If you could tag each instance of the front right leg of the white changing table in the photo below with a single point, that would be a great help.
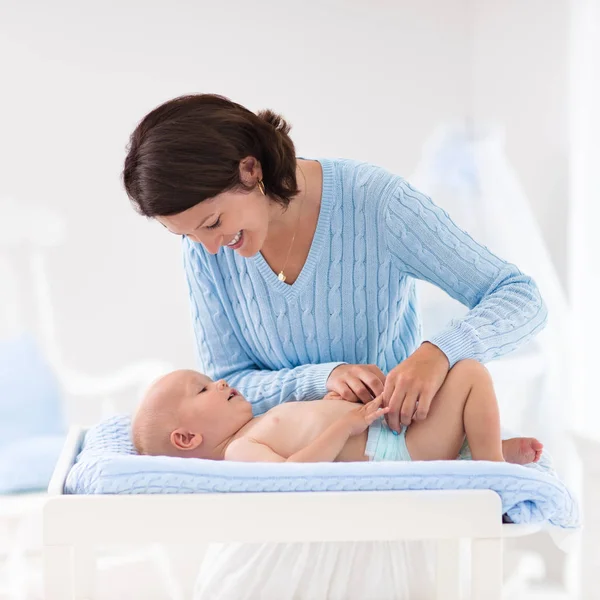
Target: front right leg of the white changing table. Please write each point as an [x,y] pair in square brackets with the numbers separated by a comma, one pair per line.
[486,569]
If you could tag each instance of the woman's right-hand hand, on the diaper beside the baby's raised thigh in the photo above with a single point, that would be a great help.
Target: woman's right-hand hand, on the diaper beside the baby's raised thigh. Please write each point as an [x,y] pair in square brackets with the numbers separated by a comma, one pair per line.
[416,379]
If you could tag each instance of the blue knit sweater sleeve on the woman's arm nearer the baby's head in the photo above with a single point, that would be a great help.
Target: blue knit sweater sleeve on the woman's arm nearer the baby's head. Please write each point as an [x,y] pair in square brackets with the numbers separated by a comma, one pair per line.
[223,353]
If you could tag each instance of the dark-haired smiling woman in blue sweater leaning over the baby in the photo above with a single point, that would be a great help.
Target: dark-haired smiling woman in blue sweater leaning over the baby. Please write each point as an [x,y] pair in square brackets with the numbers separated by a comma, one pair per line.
[301,273]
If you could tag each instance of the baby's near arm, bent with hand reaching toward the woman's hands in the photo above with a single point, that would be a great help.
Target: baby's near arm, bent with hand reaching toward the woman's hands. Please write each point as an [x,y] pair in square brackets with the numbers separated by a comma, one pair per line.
[325,448]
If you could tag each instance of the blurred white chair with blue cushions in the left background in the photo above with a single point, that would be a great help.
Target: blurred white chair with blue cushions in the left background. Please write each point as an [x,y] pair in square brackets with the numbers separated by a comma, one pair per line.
[27,235]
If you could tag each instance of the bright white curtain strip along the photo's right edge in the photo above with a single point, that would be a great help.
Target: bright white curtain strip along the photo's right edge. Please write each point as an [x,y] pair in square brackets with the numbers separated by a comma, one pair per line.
[585,211]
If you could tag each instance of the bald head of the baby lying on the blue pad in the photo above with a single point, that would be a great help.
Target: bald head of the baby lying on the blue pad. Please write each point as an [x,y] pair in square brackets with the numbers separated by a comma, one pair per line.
[186,414]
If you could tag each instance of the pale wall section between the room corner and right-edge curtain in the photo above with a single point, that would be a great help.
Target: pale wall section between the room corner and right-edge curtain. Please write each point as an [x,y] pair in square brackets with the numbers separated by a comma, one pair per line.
[520,79]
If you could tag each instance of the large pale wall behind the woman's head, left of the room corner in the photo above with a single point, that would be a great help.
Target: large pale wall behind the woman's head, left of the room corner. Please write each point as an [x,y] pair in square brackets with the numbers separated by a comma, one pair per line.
[356,79]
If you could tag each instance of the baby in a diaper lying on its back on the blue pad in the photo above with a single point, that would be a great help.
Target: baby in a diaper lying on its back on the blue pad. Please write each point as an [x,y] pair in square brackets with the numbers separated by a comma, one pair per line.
[186,414]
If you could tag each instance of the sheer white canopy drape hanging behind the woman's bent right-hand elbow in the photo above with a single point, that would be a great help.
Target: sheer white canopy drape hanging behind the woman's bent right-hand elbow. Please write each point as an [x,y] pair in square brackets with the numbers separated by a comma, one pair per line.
[467,172]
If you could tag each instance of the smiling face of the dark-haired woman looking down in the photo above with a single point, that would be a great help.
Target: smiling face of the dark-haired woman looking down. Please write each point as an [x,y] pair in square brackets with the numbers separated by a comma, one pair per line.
[238,220]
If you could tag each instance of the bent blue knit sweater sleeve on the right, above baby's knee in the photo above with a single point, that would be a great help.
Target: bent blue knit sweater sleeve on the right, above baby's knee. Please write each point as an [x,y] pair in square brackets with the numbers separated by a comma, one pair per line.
[506,309]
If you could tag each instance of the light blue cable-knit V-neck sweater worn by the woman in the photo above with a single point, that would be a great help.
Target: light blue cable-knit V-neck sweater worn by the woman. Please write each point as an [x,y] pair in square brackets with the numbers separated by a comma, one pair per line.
[354,301]
